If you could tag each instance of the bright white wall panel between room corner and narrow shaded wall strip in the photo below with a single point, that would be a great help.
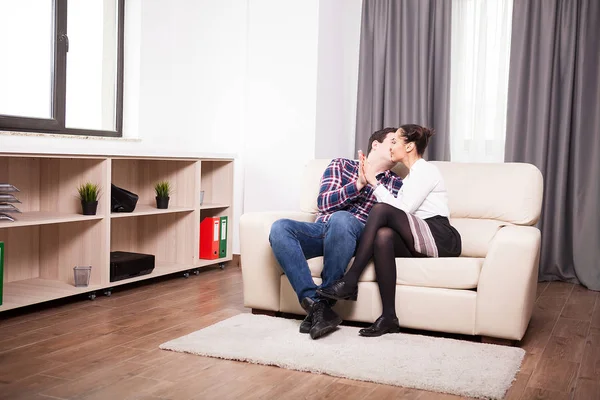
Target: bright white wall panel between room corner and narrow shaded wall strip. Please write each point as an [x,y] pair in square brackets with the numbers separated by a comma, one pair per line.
[281,98]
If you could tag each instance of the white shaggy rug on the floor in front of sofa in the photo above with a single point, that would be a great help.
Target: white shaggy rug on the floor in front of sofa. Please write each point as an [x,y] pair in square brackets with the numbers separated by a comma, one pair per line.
[413,361]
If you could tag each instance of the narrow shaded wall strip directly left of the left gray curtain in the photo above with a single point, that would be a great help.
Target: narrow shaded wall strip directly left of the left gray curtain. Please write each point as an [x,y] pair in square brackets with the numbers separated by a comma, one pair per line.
[337,81]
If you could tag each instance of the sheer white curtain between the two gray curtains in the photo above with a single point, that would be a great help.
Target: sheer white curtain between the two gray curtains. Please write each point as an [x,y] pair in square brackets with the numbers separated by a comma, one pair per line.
[480,55]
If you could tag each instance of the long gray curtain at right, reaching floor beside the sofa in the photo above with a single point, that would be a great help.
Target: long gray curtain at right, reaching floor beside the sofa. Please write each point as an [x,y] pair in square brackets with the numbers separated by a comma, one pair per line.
[554,123]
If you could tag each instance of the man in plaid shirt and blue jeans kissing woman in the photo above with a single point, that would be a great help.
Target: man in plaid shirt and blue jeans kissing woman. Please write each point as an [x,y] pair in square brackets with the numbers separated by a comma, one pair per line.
[344,203]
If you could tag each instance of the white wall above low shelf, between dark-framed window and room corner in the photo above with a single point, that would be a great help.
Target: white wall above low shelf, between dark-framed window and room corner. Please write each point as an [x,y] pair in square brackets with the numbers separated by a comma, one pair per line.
[193,61]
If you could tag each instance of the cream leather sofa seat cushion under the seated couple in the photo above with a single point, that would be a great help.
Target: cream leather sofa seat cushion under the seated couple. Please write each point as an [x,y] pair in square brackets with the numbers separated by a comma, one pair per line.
[449,273]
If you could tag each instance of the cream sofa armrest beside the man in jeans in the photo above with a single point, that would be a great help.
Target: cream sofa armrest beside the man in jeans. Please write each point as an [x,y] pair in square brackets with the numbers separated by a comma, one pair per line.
[261,274]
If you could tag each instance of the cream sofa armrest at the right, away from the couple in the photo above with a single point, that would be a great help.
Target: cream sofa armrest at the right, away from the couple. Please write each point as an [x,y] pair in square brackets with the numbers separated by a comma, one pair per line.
[508,281]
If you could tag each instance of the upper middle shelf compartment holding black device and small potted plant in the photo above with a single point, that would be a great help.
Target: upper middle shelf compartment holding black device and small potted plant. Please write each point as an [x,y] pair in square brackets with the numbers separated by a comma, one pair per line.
[139,176]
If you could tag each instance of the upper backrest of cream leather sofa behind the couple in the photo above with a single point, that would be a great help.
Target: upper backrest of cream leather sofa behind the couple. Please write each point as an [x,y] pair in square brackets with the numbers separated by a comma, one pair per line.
[509,192]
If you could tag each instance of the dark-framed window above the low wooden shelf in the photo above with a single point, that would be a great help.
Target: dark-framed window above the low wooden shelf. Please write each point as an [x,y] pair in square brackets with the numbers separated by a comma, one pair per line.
[62,66]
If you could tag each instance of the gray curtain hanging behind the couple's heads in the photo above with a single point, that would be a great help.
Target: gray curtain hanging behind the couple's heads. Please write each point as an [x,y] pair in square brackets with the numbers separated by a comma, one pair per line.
[404,69]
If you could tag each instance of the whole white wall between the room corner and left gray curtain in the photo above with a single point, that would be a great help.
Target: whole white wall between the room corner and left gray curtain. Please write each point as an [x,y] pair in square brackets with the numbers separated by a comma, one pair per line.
[302,88]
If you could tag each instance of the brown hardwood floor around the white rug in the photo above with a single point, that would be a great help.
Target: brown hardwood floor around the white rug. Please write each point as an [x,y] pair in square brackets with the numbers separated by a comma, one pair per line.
[108,349]
